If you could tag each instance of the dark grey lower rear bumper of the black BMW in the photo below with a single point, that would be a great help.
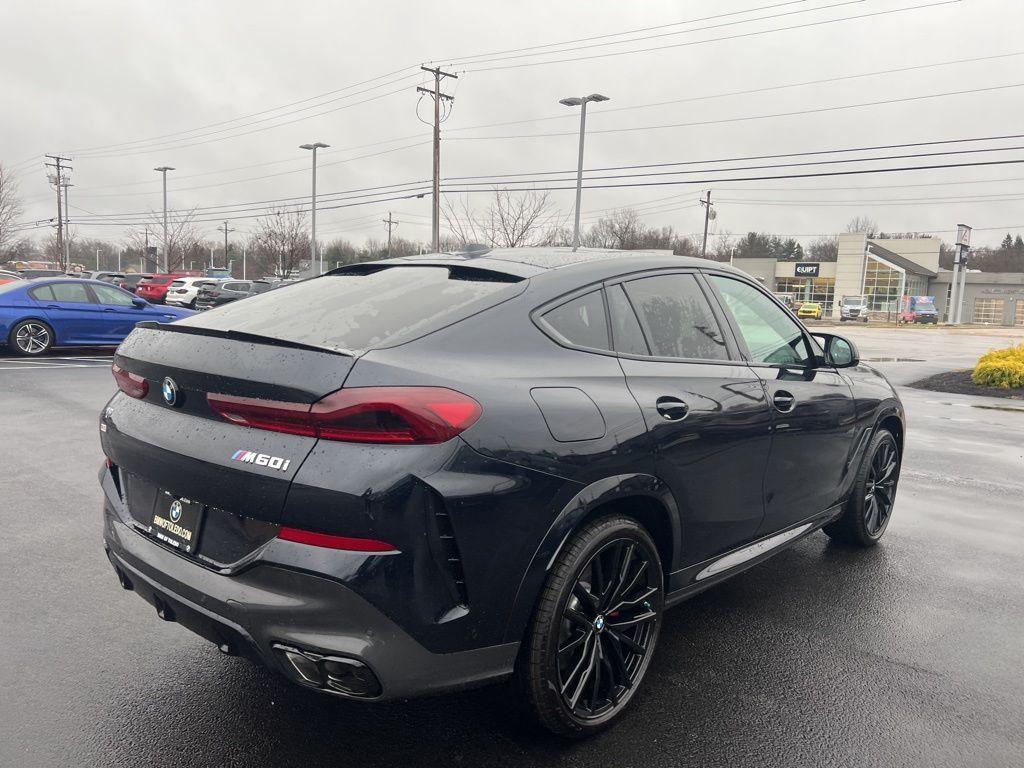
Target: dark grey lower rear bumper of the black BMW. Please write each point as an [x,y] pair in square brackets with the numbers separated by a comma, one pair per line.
[279,605]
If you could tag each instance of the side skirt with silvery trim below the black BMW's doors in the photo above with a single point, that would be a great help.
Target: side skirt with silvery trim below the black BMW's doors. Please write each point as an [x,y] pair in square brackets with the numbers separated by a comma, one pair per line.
[689,582]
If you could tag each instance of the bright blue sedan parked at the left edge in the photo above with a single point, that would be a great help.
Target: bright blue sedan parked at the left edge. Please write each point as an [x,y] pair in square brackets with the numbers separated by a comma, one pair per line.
[46,313]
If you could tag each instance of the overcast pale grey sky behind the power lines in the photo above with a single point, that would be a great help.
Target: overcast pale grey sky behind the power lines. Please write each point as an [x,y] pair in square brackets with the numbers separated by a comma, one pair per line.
[116,75]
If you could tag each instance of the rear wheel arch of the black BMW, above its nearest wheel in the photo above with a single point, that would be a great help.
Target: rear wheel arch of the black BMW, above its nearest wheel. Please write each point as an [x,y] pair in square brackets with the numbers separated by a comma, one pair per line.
[643,497]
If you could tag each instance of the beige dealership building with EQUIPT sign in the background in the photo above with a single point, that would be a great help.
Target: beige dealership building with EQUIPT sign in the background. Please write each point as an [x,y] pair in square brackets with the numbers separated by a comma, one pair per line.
[886,269]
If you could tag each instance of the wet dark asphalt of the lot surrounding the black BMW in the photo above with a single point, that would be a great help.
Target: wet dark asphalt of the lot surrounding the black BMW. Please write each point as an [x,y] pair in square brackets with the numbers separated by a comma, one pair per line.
[909,655]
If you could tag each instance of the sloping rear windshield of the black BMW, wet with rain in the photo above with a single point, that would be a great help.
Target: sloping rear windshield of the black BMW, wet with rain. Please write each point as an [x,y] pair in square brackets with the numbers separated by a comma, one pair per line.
[358,312]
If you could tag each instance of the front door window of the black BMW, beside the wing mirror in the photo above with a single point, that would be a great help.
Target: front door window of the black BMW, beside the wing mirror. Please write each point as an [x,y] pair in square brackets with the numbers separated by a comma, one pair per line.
[771,334]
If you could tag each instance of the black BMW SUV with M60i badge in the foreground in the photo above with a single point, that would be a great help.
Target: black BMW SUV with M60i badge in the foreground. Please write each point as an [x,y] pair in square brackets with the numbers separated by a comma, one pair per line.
[425,474]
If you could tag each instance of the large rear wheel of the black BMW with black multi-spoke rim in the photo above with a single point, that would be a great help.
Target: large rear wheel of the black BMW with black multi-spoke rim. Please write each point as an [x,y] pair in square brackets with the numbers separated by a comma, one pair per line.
[586,655]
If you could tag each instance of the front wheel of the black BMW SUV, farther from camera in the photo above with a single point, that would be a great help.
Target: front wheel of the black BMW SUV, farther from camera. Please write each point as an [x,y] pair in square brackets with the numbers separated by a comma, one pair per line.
[869,510]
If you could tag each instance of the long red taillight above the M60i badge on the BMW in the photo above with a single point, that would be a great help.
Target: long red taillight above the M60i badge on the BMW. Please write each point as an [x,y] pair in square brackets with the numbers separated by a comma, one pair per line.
[382,415]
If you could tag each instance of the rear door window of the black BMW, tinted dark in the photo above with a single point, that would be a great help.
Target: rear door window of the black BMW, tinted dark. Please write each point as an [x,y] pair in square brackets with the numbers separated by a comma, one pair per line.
[676,318]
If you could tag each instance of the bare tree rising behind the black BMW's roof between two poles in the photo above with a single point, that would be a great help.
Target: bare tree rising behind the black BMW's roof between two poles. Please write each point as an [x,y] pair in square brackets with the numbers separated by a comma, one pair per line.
[514,220]
